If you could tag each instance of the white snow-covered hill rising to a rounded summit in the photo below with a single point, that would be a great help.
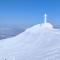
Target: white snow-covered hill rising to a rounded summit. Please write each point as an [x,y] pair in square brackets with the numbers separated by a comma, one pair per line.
[40,42]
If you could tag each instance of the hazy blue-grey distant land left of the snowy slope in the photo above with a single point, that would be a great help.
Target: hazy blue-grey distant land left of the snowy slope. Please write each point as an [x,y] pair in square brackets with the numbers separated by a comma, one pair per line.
[6,32]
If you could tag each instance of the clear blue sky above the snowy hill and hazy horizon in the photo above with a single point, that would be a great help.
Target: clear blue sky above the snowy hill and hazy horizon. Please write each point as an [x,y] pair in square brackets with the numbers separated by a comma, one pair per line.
[24,13]
